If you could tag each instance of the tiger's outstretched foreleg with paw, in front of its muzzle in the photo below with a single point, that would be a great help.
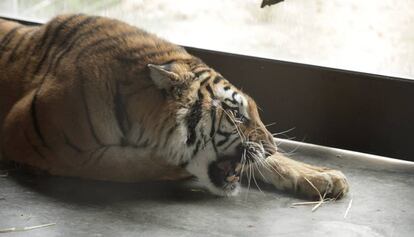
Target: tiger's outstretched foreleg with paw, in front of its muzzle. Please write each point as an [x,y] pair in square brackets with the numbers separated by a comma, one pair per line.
[297,177]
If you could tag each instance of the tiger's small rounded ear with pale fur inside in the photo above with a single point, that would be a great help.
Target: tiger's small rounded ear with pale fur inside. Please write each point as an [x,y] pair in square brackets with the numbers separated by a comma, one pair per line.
[163,77]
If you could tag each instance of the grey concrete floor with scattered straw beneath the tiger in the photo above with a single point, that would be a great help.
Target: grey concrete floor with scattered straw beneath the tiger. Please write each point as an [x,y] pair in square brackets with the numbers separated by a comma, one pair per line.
[381,191]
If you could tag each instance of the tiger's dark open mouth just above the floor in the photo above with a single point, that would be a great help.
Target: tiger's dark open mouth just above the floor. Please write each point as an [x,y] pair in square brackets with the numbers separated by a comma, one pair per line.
[225,173]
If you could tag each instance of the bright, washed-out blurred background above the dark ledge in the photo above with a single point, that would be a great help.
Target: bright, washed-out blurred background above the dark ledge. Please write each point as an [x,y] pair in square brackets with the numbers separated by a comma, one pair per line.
[374,36]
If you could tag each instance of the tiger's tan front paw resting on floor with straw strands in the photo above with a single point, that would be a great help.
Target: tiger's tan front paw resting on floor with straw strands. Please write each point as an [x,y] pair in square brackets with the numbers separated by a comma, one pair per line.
[325,183]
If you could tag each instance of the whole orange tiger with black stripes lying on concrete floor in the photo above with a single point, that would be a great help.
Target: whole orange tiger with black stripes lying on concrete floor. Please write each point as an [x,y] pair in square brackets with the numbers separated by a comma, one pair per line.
[96,98]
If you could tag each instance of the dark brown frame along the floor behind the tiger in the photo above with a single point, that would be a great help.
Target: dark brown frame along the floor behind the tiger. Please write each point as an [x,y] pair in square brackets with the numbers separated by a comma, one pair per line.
[331,107]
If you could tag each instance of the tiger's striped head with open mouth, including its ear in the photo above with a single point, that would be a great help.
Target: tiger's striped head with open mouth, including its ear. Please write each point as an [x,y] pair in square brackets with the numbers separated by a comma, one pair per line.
[216,129]
